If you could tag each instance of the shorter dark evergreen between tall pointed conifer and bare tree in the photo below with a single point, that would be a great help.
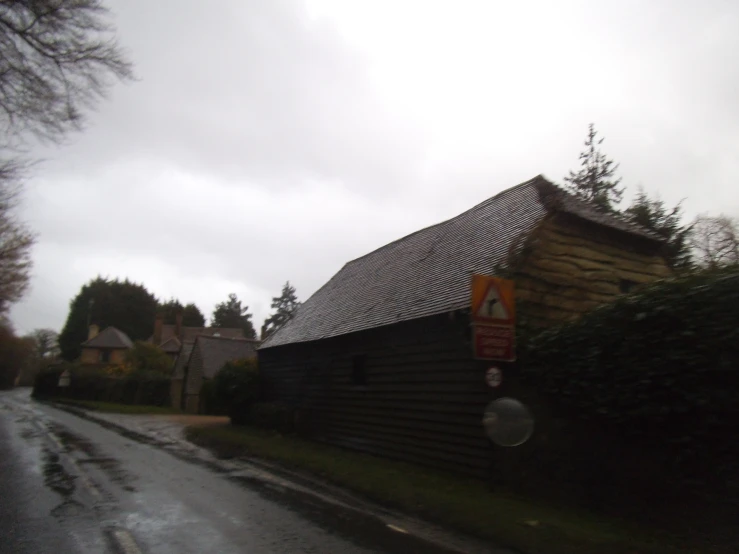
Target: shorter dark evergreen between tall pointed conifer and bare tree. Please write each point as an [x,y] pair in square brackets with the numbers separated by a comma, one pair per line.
[667,223]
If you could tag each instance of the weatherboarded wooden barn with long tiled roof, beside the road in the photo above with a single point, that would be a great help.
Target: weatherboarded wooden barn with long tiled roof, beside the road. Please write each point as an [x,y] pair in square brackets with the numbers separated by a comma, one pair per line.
[379,359]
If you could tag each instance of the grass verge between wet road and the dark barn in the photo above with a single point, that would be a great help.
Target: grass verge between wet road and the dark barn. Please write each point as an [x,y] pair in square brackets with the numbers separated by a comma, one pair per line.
[462,504]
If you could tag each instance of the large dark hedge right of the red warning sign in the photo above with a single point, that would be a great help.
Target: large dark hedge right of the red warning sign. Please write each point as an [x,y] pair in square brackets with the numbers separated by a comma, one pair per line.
[660,366]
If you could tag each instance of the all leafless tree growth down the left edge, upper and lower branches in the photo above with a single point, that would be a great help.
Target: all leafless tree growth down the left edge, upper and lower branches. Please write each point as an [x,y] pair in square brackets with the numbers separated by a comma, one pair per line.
[57,59]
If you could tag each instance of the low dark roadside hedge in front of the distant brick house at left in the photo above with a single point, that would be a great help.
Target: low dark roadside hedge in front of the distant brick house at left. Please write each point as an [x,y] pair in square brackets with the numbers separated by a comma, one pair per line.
[145,388]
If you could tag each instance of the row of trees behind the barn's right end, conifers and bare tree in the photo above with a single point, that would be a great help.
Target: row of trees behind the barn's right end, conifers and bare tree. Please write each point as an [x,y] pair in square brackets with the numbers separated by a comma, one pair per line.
[708,242]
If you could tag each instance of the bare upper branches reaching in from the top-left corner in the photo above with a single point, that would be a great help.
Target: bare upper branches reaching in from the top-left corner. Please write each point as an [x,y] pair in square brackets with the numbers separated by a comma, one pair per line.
[57,58]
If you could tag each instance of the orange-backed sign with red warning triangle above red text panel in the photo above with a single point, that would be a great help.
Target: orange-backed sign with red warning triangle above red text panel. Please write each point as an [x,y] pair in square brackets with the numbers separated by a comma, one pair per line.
[493,318]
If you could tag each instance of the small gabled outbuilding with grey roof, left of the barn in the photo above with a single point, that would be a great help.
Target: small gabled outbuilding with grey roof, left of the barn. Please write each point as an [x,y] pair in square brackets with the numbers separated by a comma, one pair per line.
[205,358]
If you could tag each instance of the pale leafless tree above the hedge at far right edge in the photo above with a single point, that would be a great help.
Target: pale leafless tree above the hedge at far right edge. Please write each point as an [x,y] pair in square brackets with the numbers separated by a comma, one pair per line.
[715,240]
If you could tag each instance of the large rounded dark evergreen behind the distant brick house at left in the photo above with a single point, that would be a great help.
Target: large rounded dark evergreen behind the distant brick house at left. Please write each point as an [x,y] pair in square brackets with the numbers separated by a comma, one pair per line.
[122,304]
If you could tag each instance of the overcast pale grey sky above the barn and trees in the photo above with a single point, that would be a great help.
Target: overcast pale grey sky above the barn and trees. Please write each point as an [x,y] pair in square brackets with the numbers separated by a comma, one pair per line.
[268,141]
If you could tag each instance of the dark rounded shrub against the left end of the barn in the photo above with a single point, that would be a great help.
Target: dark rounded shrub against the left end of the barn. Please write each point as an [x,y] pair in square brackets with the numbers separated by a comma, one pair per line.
[237,388]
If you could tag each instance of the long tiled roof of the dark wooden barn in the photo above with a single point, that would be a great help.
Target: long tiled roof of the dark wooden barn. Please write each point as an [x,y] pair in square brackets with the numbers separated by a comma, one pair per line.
[428,272]
